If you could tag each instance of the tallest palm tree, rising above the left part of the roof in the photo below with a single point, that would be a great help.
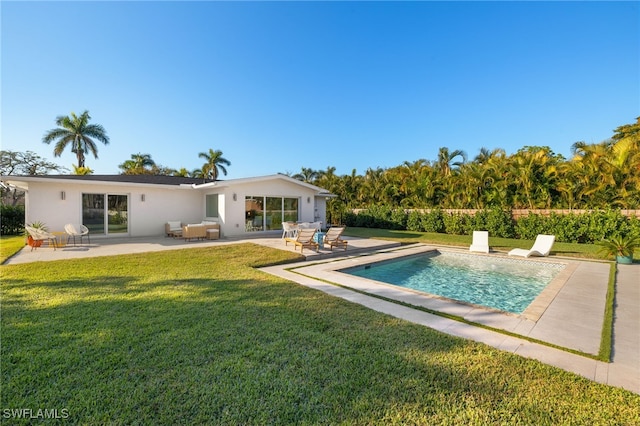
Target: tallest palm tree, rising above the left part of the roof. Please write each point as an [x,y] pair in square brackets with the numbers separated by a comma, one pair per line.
[76,131]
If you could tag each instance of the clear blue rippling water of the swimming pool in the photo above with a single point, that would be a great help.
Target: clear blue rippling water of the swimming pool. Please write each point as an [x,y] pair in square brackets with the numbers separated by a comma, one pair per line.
[506,284]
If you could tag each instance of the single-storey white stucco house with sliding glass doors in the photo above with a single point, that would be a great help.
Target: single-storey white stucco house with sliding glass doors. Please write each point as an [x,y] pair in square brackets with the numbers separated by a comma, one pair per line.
[140,205]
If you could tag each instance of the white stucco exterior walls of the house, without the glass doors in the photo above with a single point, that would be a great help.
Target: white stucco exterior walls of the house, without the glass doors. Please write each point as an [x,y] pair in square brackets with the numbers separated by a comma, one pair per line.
[151,206]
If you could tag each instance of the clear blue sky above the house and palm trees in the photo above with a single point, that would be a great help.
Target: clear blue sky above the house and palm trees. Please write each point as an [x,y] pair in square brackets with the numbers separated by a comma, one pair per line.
[277,86]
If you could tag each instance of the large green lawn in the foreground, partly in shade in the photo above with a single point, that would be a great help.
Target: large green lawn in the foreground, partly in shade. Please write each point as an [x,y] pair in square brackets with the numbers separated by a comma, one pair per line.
[199,336]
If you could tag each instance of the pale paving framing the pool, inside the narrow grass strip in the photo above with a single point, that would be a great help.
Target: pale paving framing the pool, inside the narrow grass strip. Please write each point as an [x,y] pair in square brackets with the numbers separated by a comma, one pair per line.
[577,326]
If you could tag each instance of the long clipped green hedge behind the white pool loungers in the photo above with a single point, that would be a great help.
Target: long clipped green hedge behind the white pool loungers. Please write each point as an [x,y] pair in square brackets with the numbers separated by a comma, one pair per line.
[572,228]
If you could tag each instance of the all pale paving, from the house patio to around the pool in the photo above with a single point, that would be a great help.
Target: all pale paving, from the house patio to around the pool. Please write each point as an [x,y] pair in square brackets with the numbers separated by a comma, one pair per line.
[568,314]
